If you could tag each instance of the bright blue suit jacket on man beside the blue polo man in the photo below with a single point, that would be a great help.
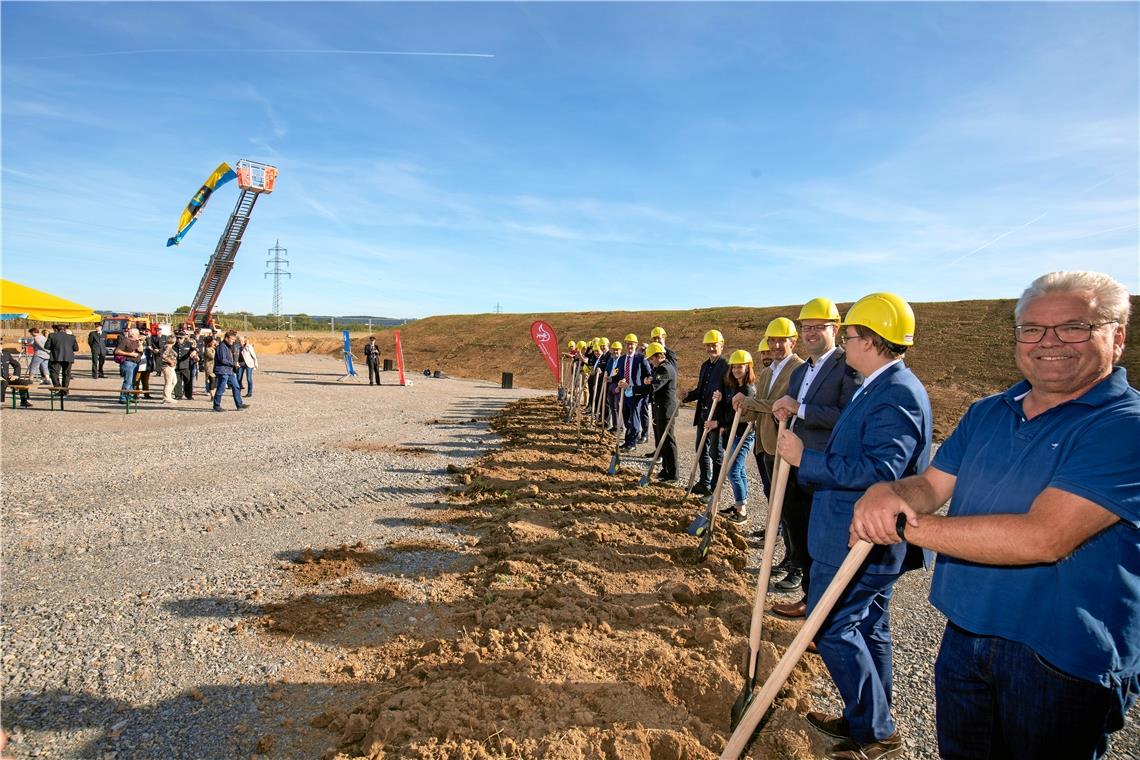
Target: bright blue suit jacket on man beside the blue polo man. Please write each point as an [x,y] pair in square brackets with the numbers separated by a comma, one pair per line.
[884,435]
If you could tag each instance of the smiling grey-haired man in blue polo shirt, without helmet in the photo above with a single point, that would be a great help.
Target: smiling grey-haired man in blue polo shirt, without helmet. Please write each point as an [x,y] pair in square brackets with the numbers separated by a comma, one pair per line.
[1039,567]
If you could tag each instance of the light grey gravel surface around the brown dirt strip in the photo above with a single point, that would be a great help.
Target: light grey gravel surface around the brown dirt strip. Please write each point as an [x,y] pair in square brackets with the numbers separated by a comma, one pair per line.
[136,546]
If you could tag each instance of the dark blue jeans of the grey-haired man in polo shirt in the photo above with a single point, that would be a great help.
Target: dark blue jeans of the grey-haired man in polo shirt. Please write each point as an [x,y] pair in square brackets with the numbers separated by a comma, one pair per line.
[998,699]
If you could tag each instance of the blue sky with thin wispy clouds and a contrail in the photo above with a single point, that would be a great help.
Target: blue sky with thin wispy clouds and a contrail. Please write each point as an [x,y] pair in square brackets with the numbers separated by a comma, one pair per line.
[590,157]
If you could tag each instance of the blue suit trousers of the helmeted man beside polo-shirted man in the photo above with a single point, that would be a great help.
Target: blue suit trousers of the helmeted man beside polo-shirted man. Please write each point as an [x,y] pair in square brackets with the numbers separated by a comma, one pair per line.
[856,647]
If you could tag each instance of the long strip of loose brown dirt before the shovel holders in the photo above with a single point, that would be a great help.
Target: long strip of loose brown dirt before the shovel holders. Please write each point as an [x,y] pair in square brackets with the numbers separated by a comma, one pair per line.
[576,623]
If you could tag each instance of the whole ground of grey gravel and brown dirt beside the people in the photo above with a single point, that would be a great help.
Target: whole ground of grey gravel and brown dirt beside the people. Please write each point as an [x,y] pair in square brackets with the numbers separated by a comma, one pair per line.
[435,571]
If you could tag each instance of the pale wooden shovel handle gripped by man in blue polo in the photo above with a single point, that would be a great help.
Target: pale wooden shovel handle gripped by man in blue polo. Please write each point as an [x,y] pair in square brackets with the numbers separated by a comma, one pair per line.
[758,712]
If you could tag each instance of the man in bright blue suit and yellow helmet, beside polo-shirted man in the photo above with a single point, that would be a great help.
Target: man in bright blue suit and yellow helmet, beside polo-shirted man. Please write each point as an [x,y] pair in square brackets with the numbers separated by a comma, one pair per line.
[884,435]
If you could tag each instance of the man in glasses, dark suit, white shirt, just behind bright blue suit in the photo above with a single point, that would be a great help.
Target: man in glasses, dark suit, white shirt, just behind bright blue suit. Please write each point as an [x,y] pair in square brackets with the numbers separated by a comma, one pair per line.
[818,393]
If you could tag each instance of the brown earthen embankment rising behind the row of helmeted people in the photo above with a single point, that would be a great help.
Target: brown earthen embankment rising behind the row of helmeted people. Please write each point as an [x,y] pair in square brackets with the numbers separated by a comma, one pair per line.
[963,349]
